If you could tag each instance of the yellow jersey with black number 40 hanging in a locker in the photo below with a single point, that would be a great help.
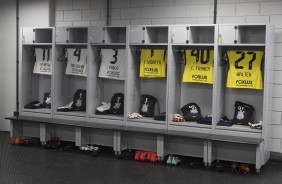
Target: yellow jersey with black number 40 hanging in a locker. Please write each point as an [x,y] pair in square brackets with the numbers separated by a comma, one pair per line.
[199,66]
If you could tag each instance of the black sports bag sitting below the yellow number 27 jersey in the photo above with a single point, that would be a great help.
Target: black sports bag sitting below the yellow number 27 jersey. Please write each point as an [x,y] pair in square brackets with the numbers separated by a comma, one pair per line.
[243,114]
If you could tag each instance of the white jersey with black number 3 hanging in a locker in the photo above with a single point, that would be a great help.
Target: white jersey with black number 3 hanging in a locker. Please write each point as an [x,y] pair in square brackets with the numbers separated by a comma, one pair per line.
[112,65]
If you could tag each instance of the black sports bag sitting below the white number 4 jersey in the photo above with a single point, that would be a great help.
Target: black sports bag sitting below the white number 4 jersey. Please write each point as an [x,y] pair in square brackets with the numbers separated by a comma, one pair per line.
[79,100]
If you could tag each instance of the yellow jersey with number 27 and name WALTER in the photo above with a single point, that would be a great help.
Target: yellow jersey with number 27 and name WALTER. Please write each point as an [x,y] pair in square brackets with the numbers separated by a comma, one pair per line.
[244,69]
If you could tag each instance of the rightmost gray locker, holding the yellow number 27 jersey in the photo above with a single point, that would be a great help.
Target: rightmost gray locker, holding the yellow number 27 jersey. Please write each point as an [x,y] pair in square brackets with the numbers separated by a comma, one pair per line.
[226,97]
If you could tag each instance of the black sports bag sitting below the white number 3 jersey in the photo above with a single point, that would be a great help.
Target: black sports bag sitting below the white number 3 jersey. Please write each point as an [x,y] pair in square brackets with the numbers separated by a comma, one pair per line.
[117,103]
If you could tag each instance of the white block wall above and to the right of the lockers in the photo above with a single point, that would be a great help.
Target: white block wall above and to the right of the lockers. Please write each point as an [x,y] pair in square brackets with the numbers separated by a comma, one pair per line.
[126,12]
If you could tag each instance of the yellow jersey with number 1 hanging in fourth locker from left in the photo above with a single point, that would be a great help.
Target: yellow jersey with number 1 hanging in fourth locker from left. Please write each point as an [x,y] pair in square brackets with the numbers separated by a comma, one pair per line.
[153,63]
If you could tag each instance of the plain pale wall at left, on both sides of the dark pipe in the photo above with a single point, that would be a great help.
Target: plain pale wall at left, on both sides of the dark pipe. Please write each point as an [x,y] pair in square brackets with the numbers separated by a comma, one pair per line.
[32,13]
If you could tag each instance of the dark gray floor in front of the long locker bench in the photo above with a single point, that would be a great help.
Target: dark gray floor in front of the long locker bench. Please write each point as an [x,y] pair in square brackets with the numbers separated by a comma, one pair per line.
[36,165]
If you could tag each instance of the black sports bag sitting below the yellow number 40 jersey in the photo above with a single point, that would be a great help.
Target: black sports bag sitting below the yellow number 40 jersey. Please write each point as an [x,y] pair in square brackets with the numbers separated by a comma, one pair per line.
[191,112]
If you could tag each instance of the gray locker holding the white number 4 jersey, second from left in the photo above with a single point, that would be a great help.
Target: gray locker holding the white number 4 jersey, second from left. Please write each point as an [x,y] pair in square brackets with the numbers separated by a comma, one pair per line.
[66,85]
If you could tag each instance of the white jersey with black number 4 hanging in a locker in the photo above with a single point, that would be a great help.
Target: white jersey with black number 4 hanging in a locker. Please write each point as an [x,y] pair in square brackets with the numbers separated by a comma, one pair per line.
[77,62]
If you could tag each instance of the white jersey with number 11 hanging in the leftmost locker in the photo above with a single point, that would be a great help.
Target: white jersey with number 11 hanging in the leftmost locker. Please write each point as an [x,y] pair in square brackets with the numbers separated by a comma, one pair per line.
[43,64]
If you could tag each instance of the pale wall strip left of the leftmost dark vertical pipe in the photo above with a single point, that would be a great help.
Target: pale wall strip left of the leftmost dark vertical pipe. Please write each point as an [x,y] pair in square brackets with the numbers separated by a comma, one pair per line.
[8,60]
